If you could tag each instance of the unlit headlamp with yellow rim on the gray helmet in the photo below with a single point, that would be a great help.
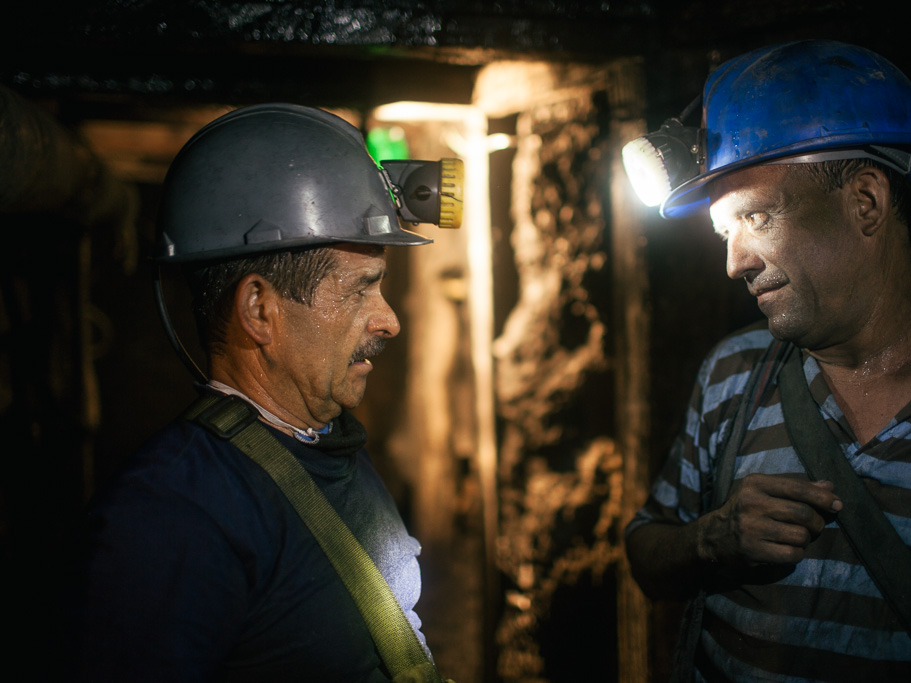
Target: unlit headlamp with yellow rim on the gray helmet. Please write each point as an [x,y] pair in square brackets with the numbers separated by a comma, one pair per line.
[427,191]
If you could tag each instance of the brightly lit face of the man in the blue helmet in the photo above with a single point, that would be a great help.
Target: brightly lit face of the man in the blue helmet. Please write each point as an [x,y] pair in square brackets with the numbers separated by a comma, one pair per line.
[793,245]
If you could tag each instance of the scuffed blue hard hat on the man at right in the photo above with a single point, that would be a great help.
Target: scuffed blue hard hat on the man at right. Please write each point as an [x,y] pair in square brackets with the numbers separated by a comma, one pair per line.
[791,99]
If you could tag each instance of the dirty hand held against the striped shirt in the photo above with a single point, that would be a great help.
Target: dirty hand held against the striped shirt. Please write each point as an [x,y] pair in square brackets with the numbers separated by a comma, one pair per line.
[767,519]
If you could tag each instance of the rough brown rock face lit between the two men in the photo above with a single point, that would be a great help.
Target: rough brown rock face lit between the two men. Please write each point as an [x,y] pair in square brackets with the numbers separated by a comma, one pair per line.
[561,472]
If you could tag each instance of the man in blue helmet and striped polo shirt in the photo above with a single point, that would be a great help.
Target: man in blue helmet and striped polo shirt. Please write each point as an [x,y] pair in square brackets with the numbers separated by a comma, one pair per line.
[784,510]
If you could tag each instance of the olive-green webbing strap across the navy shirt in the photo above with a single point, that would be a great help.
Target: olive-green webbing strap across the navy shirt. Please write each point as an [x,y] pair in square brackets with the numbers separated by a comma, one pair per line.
[232,418]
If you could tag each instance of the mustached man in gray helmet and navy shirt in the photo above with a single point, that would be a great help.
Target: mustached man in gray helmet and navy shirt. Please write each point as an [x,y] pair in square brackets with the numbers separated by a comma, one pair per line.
[205,561]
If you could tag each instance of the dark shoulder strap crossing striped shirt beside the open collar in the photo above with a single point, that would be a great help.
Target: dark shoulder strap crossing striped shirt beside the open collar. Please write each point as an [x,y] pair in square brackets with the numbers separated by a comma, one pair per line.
[871,535]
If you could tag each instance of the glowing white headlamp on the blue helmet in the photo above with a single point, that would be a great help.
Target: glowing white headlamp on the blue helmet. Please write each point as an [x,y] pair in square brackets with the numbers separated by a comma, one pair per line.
[661,161]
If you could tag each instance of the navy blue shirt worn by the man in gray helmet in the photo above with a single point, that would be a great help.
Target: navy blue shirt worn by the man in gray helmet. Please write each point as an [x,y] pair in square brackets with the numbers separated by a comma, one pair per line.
[197,568]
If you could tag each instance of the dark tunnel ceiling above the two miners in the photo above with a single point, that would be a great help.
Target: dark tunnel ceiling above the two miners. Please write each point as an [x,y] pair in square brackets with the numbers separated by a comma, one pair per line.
[362,53]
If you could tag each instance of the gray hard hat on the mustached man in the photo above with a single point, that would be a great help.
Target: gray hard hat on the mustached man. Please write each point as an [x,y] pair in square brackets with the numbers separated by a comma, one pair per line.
[273,177]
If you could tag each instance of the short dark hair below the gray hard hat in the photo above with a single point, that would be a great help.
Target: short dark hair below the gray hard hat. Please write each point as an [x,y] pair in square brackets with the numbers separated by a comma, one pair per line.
[294,274]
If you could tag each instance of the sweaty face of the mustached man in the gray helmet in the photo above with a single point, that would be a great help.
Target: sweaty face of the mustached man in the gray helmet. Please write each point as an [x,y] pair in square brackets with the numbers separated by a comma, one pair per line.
[322,349]
